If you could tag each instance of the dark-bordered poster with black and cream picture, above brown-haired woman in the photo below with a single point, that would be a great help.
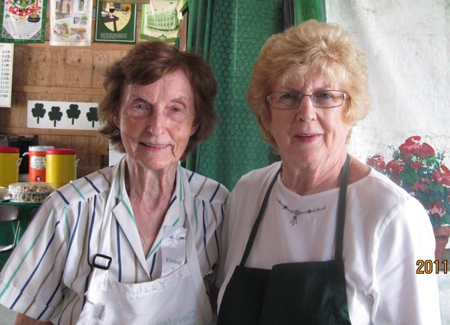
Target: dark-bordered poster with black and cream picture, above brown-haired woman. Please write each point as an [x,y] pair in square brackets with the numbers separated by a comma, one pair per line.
[115,22]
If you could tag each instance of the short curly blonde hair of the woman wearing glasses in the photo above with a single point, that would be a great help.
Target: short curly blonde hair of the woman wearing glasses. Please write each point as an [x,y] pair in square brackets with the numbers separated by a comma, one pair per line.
[310,47]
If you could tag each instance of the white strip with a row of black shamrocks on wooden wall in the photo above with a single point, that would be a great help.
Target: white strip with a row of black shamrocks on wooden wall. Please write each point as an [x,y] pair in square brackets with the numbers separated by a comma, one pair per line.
[62,115]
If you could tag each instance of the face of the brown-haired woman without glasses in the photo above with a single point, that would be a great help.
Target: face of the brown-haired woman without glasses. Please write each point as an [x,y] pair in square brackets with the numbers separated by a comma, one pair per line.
[156,120]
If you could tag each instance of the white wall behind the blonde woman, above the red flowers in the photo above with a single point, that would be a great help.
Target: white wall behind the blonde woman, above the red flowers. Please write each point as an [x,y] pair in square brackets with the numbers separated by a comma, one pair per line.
[406,43]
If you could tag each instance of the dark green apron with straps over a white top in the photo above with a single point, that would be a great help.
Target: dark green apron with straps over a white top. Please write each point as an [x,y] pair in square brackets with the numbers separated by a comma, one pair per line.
[291,293]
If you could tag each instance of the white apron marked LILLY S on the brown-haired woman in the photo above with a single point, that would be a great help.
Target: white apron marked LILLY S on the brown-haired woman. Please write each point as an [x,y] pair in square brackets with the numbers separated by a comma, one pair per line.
[178,298]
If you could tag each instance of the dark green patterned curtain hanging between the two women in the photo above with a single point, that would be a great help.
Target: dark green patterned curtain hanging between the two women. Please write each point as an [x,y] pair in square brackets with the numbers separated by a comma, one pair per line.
[229,34]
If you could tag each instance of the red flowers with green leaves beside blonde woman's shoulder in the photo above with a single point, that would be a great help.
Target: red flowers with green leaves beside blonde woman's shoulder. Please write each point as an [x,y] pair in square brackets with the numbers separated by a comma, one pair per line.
[420,171]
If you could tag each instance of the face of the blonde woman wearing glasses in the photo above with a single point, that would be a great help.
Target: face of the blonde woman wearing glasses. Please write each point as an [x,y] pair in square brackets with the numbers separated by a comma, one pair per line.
[308,135]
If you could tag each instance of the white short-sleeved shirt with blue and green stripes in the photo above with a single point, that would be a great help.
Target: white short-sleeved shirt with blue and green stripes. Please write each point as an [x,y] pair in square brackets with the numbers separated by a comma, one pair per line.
[48,273]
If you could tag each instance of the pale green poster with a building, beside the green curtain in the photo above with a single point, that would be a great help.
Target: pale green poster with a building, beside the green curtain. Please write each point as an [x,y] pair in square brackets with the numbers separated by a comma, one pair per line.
[161,20]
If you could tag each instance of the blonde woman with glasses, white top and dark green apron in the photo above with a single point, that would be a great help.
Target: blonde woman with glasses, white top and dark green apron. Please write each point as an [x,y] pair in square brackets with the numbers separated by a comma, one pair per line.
[320,238]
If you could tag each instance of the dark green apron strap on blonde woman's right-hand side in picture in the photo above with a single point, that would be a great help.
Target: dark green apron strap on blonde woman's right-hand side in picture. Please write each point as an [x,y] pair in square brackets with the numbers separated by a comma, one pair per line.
[341,210]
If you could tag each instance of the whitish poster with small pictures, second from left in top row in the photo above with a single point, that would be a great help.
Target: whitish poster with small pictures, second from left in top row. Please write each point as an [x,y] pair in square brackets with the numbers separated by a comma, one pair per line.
[70,22]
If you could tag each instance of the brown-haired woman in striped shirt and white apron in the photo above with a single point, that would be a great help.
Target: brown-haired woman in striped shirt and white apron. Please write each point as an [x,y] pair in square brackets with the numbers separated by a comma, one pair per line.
[130,244]
